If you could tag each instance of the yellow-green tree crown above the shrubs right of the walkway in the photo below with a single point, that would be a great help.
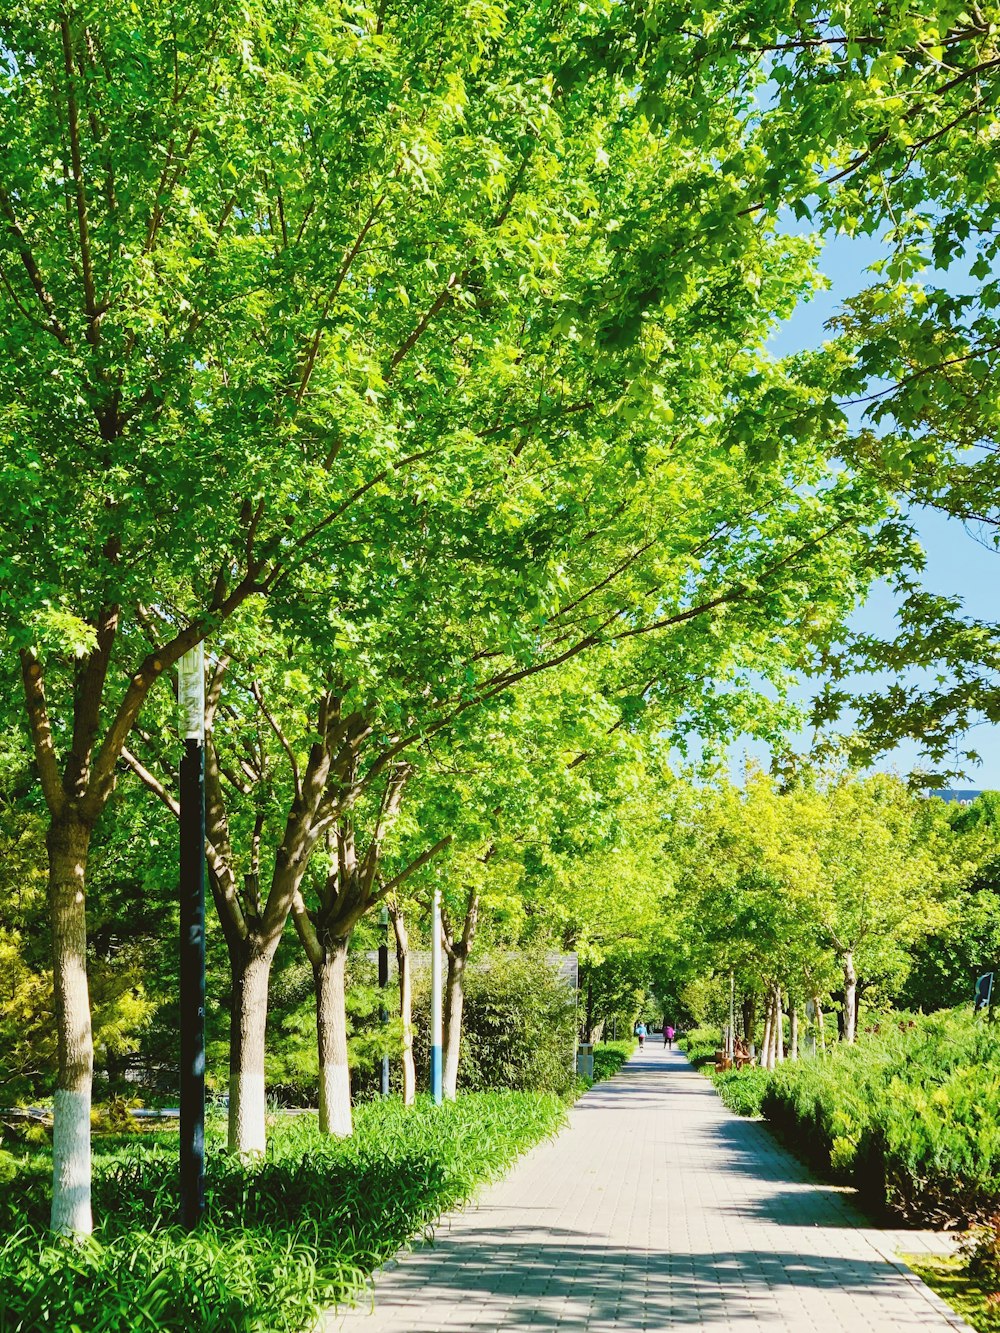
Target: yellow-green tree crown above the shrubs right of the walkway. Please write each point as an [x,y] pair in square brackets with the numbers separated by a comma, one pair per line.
[781,884]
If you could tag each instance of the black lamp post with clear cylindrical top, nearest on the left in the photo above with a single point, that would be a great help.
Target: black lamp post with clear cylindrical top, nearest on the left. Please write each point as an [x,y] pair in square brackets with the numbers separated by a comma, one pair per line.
[191,695]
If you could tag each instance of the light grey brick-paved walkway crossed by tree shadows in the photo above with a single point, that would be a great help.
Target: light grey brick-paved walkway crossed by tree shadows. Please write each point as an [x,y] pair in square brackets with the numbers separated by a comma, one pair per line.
[657,1210]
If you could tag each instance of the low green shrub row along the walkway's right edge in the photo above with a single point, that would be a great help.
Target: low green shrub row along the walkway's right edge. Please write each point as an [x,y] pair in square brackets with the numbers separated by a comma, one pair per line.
[910,1115]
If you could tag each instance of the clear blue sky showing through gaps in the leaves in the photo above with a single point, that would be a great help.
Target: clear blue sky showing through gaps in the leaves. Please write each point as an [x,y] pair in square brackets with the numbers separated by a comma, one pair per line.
[957,562]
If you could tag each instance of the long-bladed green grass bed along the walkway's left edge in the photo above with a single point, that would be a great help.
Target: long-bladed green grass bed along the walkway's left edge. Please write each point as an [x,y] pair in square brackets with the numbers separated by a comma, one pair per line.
[285,1238]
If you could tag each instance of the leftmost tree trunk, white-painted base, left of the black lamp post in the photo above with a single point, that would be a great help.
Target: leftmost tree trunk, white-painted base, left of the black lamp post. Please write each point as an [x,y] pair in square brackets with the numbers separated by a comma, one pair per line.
[69,843]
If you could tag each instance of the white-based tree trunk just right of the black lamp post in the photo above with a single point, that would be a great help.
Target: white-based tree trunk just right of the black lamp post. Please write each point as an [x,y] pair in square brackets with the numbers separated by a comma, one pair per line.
[249,1015]
